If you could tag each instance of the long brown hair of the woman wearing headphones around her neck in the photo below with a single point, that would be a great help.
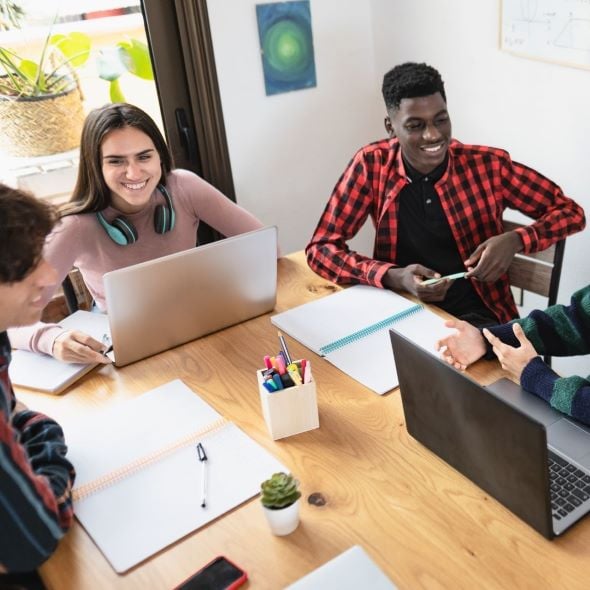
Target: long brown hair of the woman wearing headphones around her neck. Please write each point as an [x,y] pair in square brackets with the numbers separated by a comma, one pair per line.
[91,194]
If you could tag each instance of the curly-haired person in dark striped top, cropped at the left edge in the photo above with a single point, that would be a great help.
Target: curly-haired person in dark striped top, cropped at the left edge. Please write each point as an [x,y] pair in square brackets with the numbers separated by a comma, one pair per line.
[35,476]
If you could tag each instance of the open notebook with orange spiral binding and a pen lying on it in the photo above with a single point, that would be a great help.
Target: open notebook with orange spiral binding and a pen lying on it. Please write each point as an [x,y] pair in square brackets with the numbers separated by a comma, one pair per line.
[139,480]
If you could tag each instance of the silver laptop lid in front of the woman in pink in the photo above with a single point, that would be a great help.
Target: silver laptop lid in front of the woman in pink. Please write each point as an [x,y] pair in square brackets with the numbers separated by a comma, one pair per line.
[159,304]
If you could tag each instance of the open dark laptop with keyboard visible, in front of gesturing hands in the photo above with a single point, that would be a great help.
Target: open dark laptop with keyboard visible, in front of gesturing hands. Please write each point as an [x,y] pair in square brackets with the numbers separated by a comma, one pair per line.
[503,448]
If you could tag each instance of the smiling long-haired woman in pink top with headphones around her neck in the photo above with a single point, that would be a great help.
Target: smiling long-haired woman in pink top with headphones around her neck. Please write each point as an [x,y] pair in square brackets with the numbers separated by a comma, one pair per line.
[129,205]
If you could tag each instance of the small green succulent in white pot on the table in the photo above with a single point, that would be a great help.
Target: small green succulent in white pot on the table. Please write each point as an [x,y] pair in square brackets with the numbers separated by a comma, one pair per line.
[280,502]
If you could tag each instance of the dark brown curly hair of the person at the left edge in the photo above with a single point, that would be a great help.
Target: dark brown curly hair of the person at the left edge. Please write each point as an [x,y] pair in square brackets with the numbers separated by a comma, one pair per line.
[24,224]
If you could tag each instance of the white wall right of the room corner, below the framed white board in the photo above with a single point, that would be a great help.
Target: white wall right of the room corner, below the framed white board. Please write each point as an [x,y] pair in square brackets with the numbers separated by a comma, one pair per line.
[537,111]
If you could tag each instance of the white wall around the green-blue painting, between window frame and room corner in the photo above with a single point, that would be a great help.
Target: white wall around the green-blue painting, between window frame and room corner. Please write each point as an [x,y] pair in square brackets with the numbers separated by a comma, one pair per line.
[288,150]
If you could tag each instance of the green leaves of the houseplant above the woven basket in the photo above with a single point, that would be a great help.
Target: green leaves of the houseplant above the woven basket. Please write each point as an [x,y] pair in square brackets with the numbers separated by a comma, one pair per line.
[53,72]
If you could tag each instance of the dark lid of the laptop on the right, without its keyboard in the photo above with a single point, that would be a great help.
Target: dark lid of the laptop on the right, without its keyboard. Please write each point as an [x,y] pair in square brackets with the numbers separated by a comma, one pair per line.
[496,446]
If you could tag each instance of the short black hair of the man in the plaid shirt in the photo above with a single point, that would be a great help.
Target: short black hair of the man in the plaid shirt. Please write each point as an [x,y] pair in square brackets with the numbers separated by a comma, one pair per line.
[409,80]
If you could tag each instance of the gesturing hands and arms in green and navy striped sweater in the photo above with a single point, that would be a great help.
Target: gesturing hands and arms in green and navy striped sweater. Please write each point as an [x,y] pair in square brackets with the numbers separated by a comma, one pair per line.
[558,331]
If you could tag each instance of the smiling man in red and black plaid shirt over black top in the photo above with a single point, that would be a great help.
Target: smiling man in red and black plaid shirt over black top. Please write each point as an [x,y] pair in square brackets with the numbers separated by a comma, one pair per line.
[436,205]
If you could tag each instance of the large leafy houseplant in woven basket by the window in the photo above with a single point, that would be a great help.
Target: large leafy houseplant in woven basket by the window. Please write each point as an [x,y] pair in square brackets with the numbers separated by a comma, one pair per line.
[40,100]
